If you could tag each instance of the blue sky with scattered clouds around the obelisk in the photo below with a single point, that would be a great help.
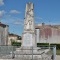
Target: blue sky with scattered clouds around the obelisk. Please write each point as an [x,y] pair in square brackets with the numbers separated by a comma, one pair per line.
[12,13]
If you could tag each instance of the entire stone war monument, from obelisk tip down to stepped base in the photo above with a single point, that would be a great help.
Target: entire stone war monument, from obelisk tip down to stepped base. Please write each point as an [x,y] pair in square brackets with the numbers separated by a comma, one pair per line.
[29,47]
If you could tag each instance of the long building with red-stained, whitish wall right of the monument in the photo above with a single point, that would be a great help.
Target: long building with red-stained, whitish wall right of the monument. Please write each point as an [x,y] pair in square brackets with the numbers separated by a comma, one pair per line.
[48,33]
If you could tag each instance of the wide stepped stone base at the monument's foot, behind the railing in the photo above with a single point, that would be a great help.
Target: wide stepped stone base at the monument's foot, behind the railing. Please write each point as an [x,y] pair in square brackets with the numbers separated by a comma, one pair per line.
[31,53]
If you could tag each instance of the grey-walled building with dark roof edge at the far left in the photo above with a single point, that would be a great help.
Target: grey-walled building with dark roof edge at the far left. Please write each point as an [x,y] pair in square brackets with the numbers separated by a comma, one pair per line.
[3,34]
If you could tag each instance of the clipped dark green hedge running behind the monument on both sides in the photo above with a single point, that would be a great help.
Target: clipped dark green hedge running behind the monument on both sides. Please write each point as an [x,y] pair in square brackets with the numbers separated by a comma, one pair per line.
[38,44]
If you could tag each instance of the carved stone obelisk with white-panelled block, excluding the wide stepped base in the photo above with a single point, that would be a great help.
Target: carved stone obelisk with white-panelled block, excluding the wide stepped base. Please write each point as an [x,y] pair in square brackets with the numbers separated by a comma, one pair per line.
[28,38]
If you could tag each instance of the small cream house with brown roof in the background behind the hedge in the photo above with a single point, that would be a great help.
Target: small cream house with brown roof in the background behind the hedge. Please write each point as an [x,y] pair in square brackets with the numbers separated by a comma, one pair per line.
[13,37]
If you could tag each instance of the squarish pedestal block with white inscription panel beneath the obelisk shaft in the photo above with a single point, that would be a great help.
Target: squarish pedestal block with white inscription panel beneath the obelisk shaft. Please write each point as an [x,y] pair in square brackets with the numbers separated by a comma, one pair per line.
[28,40]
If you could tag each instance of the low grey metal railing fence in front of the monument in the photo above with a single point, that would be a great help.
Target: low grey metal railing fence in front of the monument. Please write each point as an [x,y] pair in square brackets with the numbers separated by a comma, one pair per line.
[28,53]
